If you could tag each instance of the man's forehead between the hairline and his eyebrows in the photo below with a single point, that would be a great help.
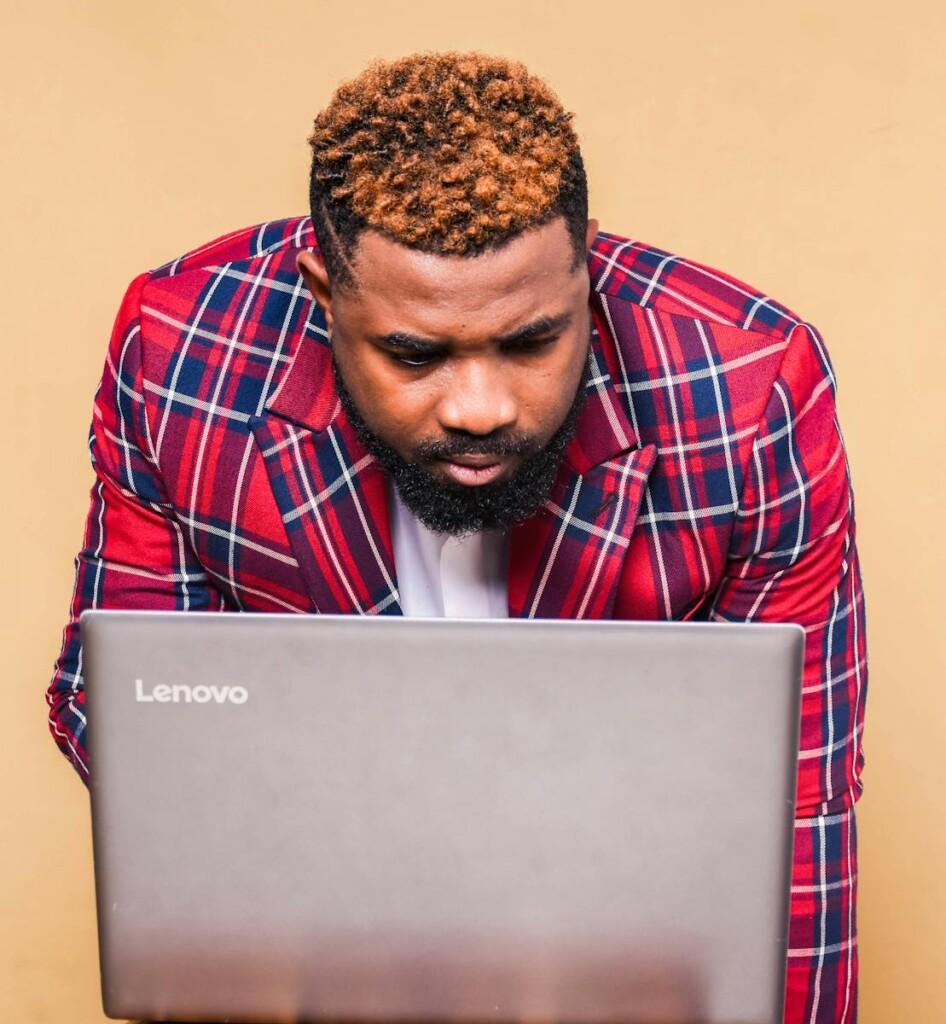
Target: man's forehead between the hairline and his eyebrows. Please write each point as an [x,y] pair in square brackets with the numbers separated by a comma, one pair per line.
[401,289]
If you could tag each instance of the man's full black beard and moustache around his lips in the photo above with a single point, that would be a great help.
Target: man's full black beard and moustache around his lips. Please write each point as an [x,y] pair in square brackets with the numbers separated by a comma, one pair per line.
[447,507]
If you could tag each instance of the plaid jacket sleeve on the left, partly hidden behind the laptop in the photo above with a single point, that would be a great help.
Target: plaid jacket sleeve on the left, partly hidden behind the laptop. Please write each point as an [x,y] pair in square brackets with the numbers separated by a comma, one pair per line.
[135,552]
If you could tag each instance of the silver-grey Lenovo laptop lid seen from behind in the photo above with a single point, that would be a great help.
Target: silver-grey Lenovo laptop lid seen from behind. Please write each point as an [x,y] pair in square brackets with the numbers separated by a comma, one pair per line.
[305,819]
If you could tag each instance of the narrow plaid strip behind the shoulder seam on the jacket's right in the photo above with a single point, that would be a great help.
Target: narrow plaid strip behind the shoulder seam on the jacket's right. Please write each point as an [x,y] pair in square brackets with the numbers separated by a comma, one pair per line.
[653,278]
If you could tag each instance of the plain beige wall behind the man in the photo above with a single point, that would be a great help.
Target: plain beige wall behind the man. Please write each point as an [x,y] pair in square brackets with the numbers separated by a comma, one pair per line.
[800,147]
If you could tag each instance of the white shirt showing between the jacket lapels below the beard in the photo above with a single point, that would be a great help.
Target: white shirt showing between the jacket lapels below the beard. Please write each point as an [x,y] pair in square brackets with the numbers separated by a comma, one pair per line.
[444,576]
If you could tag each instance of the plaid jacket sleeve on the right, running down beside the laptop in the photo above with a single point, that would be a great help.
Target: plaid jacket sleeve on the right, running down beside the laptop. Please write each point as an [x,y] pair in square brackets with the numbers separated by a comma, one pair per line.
[794,559]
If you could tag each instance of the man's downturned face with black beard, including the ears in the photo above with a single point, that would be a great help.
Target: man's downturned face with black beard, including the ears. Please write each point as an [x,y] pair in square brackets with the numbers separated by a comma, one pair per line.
[463,374]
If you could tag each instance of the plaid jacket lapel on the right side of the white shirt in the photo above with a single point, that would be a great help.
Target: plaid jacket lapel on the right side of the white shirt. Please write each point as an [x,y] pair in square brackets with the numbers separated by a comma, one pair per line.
[566,562]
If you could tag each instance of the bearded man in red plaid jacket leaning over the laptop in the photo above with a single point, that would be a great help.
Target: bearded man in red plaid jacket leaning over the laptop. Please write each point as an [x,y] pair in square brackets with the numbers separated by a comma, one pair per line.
[449,394]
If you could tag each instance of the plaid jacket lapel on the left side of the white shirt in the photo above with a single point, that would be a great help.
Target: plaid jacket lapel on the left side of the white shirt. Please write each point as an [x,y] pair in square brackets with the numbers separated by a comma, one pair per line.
[330,491]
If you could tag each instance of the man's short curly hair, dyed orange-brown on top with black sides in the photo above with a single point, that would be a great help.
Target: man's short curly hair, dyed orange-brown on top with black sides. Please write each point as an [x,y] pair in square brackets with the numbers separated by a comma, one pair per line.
[446,153]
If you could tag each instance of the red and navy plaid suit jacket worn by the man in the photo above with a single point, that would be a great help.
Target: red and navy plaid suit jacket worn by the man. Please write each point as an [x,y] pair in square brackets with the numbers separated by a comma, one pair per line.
[708,481]
